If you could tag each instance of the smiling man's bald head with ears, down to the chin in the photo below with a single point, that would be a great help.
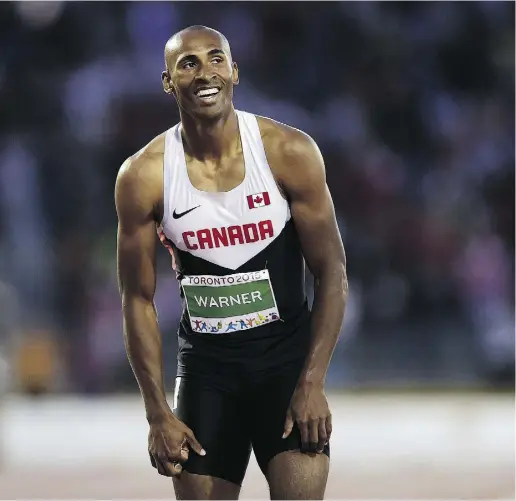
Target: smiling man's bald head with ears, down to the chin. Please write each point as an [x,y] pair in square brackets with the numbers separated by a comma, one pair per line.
[200,72]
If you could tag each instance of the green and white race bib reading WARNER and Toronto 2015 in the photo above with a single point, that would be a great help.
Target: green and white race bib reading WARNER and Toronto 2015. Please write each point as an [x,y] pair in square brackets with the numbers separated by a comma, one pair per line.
[229,303]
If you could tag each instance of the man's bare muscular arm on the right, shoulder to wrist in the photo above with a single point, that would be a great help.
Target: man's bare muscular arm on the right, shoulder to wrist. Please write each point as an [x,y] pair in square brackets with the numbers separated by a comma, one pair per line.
[304,181]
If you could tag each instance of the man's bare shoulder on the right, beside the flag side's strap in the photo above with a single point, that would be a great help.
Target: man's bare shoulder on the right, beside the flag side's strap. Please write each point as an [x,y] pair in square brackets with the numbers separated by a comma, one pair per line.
[293,155]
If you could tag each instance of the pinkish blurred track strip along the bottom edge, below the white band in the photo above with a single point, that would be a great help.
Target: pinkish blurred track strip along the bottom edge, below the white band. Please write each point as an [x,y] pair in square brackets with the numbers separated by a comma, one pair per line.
[409,481]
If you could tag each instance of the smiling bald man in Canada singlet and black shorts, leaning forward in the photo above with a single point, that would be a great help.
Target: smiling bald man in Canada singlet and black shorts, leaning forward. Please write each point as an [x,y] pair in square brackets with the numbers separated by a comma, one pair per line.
[239,201]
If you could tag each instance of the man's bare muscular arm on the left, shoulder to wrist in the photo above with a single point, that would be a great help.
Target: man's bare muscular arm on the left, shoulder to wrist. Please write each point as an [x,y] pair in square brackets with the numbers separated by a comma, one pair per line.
[136,248]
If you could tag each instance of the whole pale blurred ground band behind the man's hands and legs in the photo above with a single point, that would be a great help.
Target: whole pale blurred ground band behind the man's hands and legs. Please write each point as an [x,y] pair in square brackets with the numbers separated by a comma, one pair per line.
[386,446]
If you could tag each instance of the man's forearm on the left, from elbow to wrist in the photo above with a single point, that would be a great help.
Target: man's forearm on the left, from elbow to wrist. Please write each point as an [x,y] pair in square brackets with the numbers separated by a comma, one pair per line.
[143,346]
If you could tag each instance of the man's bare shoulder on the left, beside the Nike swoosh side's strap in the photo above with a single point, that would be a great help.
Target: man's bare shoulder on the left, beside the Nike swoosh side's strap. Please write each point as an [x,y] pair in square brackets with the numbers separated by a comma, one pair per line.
[139,183]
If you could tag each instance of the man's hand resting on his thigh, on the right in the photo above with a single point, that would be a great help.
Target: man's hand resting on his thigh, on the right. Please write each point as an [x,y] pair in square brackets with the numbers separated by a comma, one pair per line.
[309,409]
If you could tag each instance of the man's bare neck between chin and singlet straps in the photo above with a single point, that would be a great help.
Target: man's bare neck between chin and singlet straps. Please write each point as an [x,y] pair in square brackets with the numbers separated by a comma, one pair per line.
[210,139]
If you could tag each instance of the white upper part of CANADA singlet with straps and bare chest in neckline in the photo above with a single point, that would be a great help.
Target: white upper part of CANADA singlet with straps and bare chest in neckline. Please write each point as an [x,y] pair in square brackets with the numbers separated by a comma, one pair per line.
[228,215]
